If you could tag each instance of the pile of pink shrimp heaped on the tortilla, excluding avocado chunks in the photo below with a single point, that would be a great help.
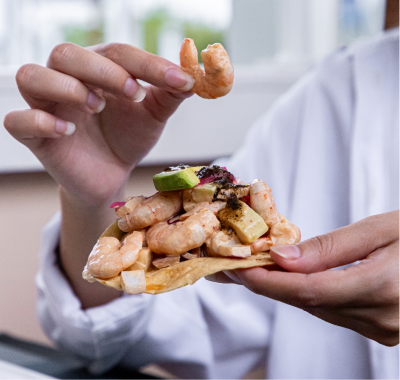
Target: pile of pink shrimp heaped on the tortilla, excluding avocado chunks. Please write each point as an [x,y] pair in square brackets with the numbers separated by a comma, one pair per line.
[173,227]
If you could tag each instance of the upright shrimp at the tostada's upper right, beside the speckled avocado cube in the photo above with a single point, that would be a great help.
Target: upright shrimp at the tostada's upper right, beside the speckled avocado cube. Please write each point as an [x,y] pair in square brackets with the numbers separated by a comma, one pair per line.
[262,202]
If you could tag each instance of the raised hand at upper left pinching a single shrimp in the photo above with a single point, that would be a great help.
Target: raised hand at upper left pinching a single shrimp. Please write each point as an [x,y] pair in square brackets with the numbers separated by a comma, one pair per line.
[96,91]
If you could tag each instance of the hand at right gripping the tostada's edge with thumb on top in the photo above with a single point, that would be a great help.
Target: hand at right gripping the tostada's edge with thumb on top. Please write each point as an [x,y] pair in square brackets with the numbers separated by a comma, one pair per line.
[364,297]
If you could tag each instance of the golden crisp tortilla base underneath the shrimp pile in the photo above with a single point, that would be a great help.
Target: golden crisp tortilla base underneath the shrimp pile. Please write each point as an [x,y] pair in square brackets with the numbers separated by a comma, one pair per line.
[186,272]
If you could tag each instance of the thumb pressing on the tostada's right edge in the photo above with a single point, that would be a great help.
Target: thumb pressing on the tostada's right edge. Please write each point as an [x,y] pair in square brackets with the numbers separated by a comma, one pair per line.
[343,246]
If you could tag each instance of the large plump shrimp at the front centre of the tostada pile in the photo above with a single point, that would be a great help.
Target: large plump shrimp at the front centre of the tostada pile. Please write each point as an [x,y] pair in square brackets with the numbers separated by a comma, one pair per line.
[175,239]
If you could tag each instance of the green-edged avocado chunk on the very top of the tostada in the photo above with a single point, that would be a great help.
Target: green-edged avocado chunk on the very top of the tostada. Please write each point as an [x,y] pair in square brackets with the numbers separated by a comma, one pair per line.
[176,180]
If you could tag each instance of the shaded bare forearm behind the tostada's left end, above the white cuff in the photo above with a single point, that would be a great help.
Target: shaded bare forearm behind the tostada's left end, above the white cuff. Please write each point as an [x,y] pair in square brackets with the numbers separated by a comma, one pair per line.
[81,227]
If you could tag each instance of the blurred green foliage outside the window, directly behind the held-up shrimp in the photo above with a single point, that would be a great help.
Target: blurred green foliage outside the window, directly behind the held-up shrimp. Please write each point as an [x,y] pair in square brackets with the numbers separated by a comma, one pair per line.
[156,21]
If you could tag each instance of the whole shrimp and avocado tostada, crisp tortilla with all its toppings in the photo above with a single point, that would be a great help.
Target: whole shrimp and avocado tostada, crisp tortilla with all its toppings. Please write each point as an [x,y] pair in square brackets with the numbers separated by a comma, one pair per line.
[220,218]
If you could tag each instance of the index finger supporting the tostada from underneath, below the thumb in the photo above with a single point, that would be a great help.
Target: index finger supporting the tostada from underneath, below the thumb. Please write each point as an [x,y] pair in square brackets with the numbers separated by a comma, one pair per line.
[355,285]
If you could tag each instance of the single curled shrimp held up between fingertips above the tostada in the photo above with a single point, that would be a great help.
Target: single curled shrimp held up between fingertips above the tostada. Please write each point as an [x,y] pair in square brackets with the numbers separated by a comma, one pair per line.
[217,80]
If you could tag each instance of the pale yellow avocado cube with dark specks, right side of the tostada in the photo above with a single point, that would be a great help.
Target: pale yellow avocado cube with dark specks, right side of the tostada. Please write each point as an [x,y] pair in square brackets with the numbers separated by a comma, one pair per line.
[248,225]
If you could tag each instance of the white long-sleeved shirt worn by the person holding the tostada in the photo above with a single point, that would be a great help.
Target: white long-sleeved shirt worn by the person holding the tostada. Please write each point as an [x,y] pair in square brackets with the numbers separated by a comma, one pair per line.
[330,150]
